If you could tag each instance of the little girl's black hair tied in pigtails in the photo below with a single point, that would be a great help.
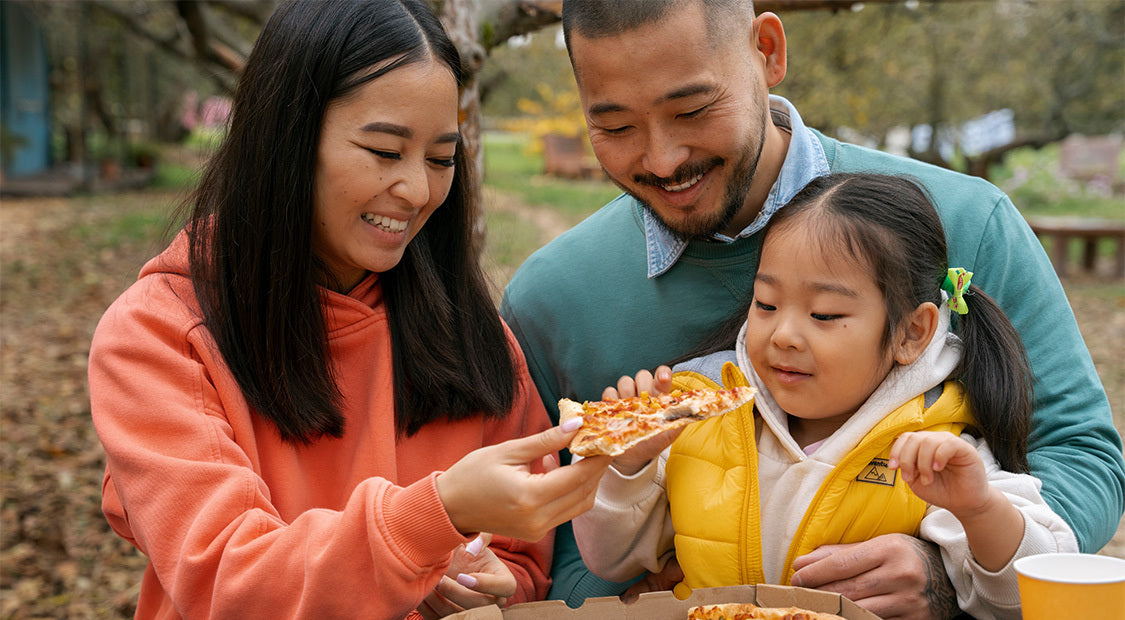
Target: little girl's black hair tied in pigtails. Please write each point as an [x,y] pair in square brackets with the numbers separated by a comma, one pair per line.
[889,223]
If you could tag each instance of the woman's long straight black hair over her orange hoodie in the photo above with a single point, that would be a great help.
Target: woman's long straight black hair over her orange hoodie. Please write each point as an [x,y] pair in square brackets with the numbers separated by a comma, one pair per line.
[250,232]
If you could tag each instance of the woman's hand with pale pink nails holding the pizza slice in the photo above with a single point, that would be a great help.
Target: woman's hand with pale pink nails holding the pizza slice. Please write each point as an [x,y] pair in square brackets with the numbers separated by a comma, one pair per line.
[505,490]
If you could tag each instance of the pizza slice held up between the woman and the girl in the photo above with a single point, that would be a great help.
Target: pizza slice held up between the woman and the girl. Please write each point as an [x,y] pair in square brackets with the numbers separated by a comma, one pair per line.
[613,427]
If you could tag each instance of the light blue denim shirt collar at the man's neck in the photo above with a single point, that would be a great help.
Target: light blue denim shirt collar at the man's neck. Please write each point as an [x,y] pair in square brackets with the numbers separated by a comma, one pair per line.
[804,163]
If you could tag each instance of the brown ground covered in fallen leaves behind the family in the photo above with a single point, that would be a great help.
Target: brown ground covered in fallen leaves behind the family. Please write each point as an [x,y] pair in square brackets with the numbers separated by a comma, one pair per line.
[62,262]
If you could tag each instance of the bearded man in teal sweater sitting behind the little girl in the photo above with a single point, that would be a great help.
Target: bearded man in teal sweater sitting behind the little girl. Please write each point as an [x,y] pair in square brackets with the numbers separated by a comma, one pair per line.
[677,101]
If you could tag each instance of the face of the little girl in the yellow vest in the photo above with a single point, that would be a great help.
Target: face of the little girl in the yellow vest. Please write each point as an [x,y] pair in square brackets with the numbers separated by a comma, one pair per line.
[815,331]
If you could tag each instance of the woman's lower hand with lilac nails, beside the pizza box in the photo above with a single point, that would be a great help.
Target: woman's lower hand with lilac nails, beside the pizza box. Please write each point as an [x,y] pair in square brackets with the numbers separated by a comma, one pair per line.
[476,578]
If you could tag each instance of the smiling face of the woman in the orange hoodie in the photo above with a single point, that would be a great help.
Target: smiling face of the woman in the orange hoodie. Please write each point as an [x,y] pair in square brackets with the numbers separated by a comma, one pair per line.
[385,163]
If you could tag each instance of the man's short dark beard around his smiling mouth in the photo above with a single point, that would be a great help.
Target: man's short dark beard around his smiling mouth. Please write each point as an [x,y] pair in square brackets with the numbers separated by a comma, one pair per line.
[707,223]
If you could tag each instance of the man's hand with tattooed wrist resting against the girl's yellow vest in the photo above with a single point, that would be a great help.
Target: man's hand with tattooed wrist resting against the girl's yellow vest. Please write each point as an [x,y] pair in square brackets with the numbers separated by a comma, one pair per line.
[895,577]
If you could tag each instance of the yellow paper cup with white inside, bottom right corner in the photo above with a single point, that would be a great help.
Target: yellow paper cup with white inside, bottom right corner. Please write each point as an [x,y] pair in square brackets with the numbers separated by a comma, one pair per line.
[1072,586]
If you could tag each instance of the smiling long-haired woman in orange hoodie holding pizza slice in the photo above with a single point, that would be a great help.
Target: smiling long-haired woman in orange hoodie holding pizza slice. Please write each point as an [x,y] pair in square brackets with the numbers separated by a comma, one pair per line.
[309,405]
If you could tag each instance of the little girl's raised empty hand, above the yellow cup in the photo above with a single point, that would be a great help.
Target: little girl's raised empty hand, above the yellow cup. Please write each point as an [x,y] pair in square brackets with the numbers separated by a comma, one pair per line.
[943,470]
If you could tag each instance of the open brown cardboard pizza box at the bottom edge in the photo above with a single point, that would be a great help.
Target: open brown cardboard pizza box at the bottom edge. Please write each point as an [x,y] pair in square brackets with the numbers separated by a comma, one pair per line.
[663,606]
